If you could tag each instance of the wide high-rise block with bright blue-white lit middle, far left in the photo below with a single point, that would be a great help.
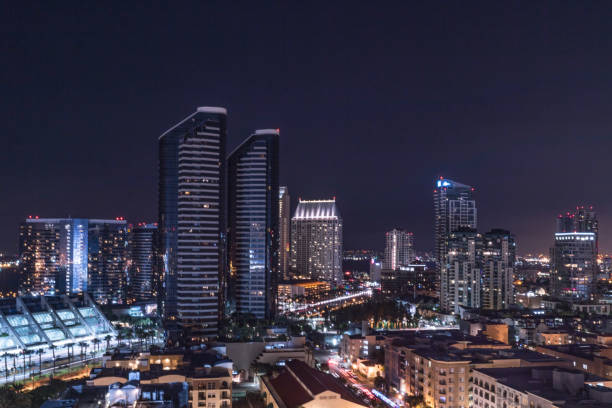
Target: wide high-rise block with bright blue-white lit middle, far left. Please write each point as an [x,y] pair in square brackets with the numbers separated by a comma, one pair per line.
[74,255]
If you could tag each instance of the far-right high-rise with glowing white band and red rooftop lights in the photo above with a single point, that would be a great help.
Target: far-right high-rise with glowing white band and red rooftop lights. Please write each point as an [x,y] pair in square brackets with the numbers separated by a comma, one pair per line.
[574,254]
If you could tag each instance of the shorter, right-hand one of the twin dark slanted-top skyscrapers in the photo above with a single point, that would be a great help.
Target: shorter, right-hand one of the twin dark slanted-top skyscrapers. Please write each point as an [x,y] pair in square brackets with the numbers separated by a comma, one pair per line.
[253,220]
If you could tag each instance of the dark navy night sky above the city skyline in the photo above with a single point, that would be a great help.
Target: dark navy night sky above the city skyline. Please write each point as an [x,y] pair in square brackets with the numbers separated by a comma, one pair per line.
[373,104]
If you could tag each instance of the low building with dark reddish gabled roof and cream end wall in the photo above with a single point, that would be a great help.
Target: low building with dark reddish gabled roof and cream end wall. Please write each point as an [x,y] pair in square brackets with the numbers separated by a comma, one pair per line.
[299,385]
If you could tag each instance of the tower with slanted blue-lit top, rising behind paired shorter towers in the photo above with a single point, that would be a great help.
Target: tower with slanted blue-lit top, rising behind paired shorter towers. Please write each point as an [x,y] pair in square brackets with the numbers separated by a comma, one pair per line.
[454,207]
